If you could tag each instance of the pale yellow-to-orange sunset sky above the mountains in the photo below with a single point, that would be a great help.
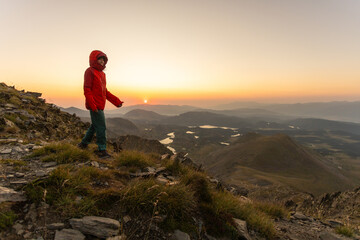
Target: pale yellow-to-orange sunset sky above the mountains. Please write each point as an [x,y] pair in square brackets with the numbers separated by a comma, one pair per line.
[200,52]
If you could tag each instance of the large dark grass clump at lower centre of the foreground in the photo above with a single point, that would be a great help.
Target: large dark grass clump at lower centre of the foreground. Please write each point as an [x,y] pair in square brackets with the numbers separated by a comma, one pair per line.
[176,202]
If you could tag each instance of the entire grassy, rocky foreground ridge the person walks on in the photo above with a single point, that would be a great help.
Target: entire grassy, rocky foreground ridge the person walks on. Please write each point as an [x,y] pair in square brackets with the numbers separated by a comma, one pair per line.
[50,189]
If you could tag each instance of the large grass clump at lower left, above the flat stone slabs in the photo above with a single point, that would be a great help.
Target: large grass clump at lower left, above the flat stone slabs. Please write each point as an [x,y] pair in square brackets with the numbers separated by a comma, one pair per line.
[68,190]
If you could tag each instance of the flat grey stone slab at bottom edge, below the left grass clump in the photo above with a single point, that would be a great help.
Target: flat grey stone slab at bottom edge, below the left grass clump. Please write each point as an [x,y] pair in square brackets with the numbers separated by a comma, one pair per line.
[96,226]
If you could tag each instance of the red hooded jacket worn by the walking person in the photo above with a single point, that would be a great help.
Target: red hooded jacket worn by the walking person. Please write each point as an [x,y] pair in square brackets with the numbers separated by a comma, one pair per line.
[95,84]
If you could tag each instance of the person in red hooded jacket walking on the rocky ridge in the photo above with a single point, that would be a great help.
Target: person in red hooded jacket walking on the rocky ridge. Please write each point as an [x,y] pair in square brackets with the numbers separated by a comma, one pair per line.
[96,95]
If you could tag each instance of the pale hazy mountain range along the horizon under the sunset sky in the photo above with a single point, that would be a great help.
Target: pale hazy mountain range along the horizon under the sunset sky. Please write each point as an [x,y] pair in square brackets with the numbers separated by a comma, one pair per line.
[339,111]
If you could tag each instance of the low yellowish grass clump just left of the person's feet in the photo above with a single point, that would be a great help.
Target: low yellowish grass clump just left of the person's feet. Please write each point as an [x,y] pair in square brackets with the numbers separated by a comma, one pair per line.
[61,153]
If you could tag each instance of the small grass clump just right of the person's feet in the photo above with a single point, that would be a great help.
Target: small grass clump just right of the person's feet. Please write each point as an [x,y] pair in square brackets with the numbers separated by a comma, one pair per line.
[135,159]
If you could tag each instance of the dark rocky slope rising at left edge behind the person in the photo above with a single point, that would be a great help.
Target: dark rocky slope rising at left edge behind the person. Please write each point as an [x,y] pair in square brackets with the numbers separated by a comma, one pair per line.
[26,115]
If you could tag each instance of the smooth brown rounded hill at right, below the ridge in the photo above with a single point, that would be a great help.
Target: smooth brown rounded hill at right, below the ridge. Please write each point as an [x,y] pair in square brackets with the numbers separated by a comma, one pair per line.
[274,159]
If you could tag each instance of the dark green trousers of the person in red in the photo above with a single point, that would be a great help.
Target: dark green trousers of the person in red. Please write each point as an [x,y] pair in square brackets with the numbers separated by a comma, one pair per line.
[97,126]
